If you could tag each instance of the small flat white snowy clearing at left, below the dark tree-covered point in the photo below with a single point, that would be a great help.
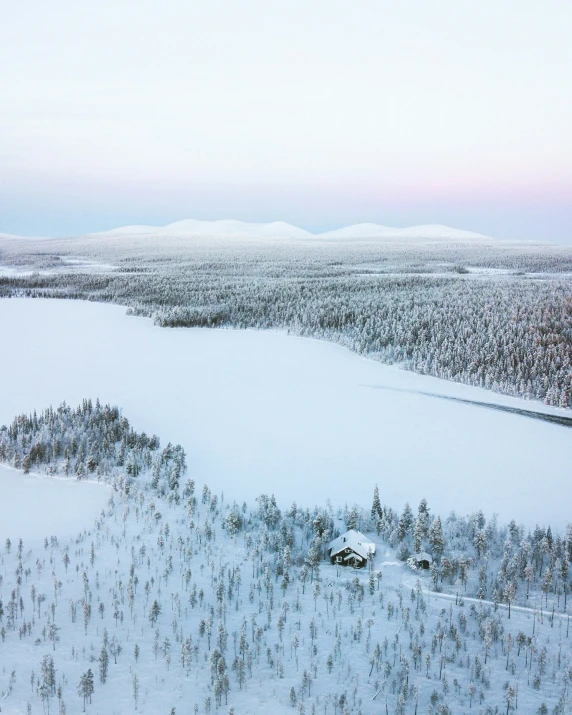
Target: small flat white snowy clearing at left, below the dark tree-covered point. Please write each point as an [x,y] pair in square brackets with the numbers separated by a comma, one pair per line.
[35,506]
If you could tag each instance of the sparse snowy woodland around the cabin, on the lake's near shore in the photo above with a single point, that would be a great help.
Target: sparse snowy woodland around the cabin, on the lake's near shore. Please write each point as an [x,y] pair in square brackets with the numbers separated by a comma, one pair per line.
[176,600]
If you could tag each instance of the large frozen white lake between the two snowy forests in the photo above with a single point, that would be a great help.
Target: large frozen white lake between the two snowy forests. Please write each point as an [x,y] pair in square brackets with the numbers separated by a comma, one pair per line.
[300,418]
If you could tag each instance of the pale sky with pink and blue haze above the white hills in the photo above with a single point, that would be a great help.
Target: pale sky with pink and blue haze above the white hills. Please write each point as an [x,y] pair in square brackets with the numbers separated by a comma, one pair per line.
[322,114]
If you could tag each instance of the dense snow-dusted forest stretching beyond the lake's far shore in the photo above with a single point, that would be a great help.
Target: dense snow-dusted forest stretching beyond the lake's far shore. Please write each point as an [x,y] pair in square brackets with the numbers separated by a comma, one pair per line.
[491,314]
